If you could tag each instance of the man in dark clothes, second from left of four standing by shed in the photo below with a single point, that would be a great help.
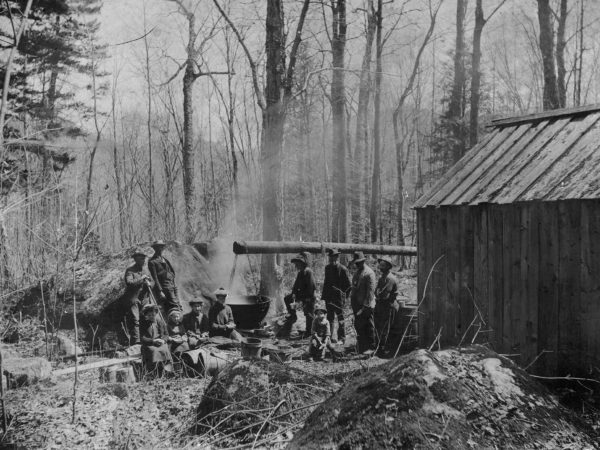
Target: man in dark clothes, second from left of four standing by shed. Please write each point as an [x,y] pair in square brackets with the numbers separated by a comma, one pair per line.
[335,289]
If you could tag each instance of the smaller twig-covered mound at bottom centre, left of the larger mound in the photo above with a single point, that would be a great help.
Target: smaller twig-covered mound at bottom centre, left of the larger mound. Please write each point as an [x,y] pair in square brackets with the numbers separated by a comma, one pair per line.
[253,398]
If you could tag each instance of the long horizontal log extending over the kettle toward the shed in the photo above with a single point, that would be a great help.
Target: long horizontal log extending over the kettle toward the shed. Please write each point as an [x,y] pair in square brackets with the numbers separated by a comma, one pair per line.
[268,247]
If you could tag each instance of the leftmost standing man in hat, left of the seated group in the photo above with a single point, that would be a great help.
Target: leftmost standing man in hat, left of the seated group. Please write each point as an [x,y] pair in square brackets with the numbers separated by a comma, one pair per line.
[137,288]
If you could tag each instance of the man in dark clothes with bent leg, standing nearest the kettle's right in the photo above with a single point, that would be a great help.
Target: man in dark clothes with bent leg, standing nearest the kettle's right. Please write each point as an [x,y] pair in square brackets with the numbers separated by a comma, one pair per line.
[303,291]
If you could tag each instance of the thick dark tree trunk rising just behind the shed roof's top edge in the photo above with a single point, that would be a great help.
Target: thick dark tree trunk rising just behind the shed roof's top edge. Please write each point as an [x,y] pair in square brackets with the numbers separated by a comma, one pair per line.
[551,98]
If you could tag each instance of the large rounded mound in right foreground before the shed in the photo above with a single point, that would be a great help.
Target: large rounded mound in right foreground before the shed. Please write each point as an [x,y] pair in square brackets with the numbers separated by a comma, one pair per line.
[449,399]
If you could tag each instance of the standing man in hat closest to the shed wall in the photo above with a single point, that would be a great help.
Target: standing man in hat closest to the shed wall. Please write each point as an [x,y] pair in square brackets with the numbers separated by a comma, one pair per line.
[386,308]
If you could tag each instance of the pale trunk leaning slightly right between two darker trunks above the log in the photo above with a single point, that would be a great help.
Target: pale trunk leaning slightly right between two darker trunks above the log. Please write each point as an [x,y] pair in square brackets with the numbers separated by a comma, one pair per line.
[361,144]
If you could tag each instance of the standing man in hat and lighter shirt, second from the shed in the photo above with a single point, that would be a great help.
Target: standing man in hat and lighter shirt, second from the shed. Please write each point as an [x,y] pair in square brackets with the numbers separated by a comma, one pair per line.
[362,298]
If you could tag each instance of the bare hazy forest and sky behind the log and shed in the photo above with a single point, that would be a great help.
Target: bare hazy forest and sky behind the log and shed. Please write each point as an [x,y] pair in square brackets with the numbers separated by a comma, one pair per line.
[132,120]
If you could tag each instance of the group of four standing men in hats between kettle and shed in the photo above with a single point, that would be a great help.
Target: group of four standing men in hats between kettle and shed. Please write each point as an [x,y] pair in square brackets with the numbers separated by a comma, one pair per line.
[373,301]
